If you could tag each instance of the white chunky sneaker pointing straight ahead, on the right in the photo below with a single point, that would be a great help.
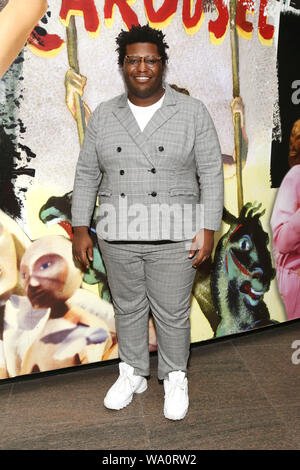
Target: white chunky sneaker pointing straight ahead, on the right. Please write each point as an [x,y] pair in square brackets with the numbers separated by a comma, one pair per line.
[176,395]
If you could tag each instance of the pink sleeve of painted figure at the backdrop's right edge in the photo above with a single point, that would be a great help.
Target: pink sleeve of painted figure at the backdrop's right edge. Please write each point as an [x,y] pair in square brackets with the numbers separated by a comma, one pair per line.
[285,220]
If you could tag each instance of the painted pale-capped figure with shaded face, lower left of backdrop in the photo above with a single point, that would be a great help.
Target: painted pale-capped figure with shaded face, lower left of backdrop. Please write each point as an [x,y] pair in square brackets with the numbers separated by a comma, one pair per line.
[71,335]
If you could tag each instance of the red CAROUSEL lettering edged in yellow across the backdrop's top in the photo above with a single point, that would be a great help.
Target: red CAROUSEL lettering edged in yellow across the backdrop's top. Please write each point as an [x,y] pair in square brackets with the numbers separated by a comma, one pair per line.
[192,19]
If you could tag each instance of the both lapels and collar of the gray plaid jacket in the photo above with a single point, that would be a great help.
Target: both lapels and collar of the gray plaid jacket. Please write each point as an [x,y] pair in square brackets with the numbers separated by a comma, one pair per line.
[124,115]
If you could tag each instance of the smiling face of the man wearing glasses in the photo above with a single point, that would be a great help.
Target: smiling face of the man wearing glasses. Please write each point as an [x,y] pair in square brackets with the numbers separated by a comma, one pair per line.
[144,82]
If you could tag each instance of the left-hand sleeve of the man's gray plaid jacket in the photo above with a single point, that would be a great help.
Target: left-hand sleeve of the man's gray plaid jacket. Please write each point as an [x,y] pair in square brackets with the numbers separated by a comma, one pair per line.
[87,176]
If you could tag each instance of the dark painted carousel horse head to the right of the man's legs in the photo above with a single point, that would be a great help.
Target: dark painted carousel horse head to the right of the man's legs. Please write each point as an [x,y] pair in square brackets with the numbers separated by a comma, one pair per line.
[241,274]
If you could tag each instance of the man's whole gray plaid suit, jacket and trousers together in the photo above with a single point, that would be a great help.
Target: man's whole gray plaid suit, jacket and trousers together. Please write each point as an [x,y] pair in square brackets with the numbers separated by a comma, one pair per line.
[175,162]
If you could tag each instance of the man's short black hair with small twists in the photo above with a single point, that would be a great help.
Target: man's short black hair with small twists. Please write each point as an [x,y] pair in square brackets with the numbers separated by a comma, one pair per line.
[141,34]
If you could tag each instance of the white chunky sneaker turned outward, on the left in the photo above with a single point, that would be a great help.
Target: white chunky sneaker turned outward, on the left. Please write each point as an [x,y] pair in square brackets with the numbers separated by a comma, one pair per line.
[121,392]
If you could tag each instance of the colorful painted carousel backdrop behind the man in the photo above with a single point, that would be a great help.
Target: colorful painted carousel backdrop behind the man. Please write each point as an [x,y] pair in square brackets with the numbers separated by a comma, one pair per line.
[224,53]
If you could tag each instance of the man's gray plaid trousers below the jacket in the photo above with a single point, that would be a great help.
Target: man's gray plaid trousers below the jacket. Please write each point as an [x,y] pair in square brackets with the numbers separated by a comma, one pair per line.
[156,277]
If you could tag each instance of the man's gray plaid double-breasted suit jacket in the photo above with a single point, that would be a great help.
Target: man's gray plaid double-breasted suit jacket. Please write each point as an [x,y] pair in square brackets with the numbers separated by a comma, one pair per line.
[152,185]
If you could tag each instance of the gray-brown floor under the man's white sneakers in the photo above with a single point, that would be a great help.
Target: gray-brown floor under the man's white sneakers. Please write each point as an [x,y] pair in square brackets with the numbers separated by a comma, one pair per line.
[244,394]
